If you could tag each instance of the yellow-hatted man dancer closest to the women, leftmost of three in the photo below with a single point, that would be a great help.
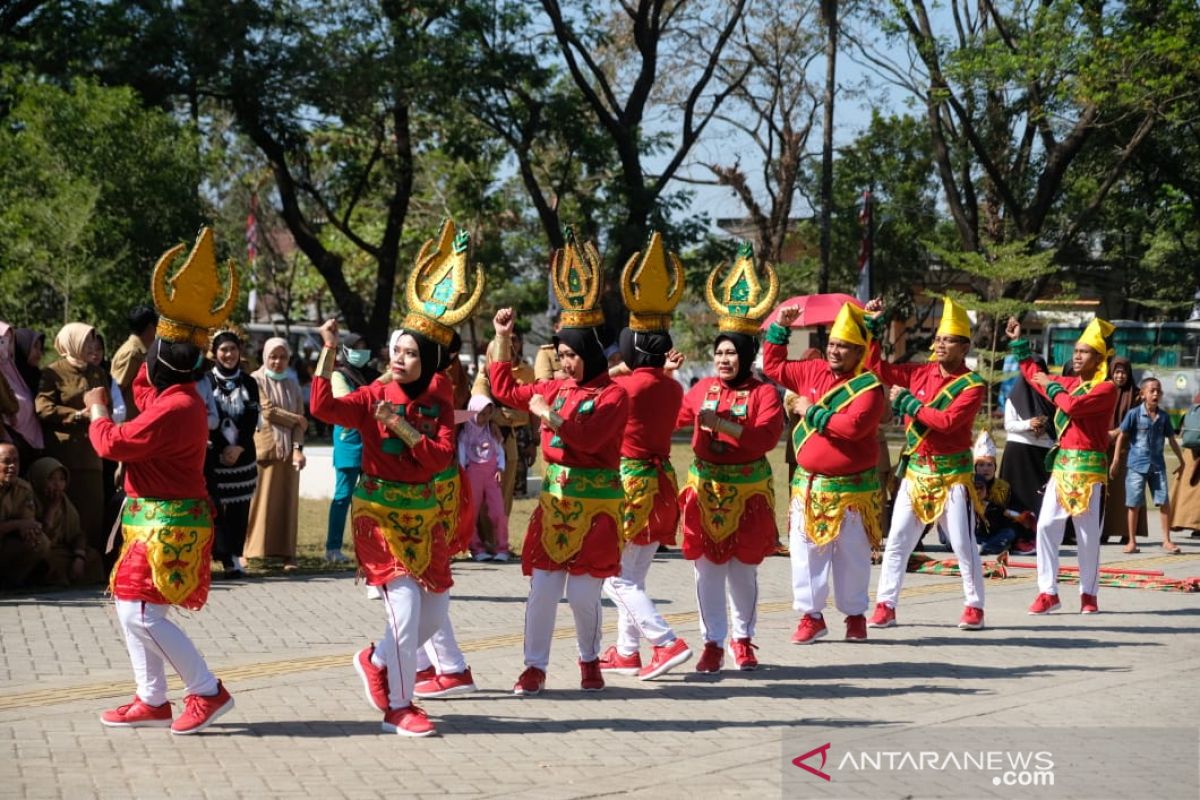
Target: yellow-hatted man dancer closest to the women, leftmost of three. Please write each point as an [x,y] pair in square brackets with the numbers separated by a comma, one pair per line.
[835,515]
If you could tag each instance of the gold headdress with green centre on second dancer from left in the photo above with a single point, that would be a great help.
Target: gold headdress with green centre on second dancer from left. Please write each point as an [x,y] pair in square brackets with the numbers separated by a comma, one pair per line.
[436,291]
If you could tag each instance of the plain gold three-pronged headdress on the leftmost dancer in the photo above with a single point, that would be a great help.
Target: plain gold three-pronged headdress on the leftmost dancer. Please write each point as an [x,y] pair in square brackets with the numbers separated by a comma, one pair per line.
[187,300]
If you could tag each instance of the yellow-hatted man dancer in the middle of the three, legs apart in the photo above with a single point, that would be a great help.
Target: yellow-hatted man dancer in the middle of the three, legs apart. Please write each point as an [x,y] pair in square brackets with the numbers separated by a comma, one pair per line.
[941,400]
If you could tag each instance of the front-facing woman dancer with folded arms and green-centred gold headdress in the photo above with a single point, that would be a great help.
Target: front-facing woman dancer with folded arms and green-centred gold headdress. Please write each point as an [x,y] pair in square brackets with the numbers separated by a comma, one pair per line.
[729,502]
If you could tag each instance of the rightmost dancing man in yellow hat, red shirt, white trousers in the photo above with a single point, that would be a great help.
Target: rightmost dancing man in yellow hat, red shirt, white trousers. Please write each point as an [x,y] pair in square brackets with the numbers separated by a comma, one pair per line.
[1084,406]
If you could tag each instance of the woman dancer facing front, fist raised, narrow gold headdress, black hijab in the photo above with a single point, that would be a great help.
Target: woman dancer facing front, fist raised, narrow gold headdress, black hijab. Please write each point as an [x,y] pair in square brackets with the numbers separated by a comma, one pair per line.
[573,543]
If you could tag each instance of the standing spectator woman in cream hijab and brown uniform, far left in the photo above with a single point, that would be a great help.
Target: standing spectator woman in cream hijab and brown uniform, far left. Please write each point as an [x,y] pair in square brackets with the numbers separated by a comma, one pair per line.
[65,423]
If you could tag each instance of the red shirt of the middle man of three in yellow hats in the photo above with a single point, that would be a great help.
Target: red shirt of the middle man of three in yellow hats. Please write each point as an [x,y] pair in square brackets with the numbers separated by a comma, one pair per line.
[950,430]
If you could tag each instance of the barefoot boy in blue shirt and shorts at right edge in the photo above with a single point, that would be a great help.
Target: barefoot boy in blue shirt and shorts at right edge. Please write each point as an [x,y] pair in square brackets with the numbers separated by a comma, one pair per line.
[1147,426]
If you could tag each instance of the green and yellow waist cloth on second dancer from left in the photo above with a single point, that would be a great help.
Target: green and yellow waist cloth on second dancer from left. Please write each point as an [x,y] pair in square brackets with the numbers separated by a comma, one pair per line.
[406,515]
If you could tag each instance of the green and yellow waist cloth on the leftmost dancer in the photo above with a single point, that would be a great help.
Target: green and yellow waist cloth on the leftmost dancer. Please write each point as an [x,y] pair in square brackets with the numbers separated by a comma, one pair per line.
[177,536]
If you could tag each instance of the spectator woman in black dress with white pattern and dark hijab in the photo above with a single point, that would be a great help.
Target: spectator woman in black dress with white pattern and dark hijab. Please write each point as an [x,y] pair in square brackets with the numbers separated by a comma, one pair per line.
[232,453]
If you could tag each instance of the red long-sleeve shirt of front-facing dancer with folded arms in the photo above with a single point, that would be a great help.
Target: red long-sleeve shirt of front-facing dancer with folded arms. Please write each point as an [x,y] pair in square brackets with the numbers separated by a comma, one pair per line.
[763,423]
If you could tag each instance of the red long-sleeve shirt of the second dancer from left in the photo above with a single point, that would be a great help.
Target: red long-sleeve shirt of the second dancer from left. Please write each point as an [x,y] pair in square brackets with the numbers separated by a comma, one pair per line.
[431,413]
